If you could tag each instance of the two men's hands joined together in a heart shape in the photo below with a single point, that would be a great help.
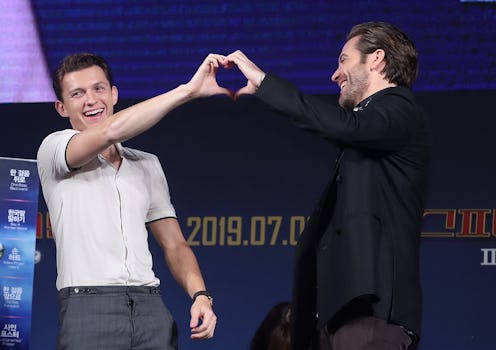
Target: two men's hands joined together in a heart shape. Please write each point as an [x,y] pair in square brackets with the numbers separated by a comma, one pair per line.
[204,82]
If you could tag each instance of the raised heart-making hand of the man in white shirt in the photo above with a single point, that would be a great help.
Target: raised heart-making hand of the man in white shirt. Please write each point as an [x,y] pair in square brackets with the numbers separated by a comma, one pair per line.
[204,82]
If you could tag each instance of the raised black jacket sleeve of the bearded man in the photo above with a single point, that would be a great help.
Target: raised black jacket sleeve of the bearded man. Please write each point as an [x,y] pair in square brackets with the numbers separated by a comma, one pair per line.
[386,124]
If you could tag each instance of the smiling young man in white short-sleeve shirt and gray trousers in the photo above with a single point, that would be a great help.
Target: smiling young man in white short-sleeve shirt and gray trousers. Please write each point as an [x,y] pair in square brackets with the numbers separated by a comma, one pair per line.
[101,196]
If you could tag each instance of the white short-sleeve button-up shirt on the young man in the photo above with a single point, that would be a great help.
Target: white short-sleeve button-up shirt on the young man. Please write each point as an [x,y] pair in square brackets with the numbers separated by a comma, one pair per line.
[98,214]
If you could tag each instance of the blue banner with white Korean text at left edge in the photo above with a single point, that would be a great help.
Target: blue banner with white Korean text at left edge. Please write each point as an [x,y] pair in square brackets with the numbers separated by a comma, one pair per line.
[19,187]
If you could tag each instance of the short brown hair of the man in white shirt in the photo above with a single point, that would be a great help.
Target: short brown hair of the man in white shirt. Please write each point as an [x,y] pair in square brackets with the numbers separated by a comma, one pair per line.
[75,62]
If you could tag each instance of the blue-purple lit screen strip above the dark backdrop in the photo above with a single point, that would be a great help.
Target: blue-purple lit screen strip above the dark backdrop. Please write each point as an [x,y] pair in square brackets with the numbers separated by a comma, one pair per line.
[154,45]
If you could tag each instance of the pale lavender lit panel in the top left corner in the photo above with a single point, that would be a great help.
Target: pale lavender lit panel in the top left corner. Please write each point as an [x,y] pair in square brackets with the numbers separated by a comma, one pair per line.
[23,70]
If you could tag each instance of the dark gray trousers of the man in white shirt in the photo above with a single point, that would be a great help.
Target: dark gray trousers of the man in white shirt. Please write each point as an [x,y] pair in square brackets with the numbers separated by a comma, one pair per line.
[114,318]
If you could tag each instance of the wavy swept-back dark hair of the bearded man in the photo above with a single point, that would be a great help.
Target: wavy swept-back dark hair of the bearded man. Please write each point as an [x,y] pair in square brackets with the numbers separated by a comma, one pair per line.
[400,54]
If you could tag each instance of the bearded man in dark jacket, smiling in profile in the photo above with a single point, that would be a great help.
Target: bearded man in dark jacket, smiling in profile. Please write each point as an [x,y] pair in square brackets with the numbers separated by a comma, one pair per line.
[356,272]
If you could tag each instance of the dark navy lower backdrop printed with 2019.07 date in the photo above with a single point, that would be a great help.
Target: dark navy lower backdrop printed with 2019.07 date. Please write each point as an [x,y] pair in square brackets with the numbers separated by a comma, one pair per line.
[244,180]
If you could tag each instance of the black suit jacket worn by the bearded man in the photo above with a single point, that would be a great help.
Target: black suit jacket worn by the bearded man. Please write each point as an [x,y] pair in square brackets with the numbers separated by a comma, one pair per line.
[362,240]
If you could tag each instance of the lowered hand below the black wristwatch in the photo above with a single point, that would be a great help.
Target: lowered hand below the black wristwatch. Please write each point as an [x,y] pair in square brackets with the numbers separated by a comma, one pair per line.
[203,319]
